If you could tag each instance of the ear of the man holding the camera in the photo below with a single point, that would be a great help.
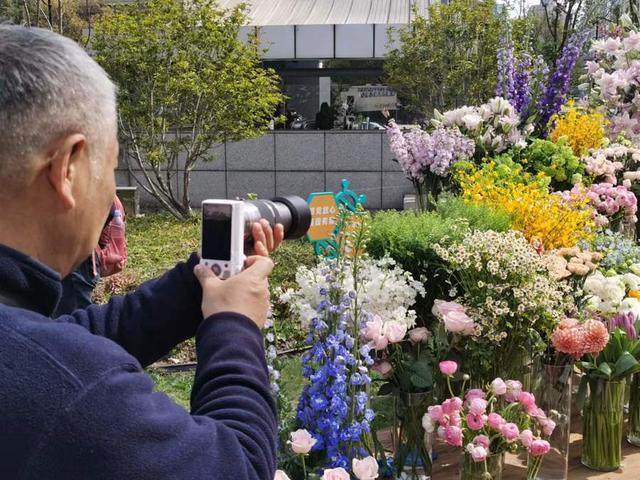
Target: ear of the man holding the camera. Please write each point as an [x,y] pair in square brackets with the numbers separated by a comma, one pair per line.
[65,157]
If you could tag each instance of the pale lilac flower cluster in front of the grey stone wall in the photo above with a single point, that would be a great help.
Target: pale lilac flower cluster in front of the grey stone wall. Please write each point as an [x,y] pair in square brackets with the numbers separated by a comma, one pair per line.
[420,153]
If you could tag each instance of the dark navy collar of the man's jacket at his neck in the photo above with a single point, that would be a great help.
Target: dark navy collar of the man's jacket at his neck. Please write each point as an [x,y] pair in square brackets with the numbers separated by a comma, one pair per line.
[27,283]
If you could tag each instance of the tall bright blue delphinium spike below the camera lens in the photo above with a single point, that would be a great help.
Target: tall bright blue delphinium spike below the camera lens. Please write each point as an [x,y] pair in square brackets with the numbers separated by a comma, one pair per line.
[333,406]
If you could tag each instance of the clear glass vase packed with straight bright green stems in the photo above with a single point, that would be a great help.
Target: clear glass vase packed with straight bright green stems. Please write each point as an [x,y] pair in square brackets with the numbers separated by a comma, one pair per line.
[602,423]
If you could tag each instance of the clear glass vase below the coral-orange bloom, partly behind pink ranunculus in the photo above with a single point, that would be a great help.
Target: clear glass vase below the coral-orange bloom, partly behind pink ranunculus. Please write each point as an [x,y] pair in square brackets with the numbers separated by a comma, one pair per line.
[552,389]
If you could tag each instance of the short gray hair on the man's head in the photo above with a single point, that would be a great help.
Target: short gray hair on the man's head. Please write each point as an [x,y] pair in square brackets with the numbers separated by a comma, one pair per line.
[49,87]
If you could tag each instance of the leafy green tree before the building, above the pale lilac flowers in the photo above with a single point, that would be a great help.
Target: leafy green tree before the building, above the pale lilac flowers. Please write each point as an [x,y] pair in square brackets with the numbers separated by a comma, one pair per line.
[447,59]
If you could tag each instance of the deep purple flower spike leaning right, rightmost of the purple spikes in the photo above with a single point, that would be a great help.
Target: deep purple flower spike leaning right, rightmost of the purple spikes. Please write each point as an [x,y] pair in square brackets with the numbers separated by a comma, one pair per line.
[555,94]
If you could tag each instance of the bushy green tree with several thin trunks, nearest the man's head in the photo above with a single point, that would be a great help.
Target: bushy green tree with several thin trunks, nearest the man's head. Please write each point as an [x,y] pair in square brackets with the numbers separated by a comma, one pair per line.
[186,82]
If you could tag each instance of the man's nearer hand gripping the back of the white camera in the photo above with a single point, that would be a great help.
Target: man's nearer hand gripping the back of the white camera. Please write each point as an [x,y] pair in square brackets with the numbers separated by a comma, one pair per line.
[246,293]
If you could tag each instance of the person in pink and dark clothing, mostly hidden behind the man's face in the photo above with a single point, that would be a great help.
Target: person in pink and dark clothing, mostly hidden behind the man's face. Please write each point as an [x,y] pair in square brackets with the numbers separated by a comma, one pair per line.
[109,258]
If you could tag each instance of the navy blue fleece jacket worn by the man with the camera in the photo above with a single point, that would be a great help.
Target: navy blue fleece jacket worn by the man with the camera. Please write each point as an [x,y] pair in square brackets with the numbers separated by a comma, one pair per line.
[76,404]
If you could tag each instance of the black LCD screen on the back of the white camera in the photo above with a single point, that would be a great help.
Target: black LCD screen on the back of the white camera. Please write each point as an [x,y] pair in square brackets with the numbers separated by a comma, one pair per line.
[216,231]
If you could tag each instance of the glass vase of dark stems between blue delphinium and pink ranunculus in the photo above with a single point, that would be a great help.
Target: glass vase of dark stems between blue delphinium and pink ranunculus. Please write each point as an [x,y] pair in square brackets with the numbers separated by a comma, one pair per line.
[412,446]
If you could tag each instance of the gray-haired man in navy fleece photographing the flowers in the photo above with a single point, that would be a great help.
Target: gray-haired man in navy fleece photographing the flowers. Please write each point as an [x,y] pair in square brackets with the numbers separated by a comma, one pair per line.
[75,402]
